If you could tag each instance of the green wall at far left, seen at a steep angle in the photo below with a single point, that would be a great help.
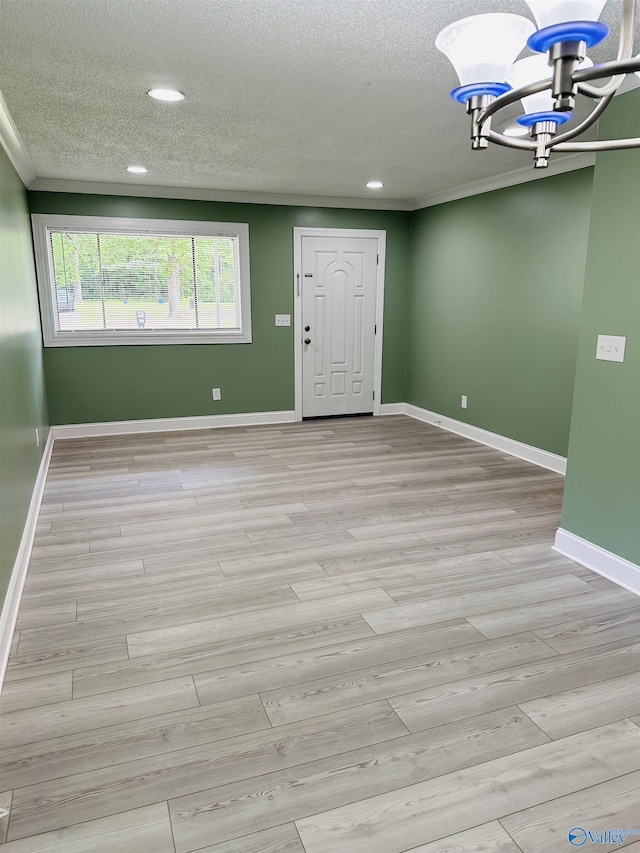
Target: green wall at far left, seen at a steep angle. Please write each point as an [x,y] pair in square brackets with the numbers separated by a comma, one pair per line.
[22,407]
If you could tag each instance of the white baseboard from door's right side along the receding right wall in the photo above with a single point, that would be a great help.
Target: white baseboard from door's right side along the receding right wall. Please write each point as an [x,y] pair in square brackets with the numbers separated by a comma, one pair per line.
[491,439]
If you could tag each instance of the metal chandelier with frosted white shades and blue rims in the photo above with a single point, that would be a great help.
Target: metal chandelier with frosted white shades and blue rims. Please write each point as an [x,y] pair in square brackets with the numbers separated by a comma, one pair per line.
[483,49]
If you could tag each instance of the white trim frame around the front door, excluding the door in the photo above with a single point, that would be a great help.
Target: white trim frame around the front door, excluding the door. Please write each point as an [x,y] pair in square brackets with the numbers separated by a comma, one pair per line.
[381,237]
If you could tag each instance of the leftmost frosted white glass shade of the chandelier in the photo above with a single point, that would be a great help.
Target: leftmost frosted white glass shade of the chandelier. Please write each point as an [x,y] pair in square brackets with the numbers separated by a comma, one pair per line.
[483,47]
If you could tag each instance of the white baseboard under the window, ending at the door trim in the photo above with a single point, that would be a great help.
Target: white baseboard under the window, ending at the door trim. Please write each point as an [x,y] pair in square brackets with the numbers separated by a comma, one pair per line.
[171,424]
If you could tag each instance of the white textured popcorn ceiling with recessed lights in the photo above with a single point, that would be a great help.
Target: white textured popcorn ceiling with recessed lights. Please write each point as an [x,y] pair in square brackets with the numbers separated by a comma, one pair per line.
[283,96]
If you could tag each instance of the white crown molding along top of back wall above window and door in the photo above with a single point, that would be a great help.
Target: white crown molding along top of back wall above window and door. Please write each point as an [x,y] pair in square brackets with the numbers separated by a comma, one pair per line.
[57,185]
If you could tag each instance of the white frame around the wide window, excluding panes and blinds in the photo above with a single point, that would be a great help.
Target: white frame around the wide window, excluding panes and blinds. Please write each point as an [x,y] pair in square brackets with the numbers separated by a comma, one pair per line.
[43,223]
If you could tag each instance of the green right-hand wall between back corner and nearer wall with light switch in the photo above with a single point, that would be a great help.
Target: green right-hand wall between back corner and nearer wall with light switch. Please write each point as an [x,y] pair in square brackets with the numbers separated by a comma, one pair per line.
[495,307]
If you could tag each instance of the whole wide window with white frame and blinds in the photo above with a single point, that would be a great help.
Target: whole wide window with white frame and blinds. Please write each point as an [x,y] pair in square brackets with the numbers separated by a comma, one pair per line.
[108,281]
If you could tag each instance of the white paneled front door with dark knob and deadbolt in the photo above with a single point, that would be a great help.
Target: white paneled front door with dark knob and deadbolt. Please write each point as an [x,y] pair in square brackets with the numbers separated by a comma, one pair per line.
[338,289]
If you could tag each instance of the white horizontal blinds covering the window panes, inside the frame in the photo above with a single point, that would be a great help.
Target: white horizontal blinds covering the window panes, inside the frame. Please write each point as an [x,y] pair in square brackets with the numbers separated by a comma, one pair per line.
[144,282]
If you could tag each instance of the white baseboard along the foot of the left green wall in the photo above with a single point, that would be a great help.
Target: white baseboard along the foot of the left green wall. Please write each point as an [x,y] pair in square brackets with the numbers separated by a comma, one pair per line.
[12,599]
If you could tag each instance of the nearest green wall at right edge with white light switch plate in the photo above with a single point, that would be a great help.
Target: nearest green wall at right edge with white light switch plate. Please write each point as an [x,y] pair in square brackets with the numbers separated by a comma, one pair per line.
[602,494]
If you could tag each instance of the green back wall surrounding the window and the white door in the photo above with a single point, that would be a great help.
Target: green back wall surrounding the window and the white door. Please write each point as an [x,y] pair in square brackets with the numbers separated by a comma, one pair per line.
[87,384]
